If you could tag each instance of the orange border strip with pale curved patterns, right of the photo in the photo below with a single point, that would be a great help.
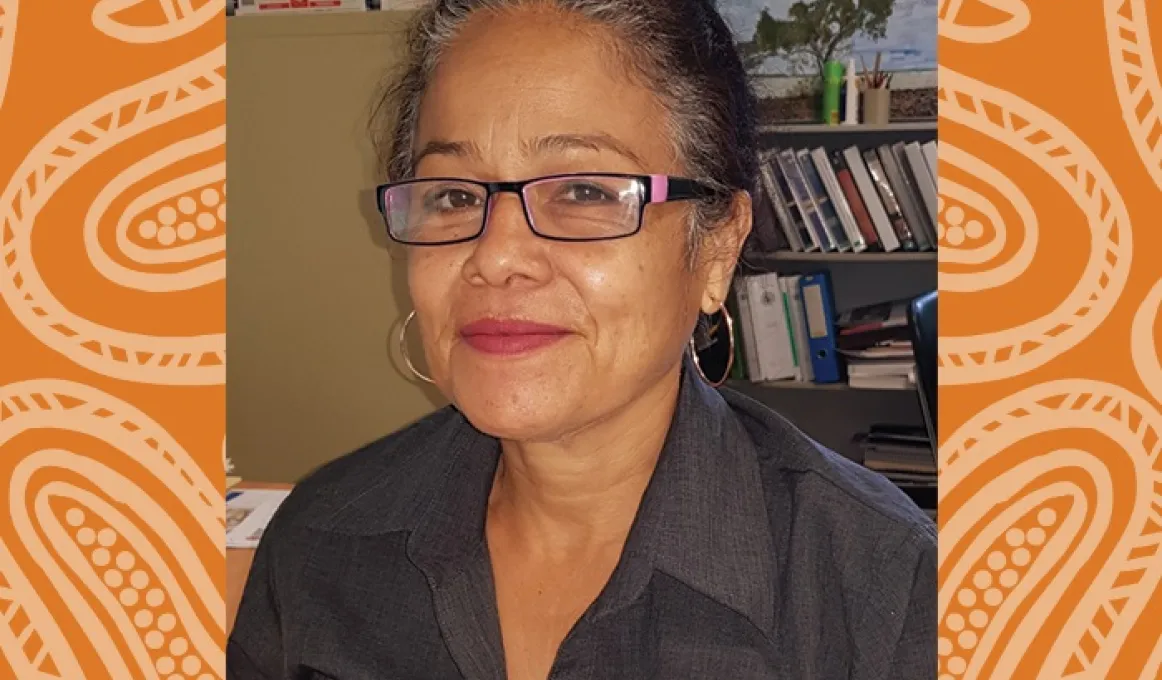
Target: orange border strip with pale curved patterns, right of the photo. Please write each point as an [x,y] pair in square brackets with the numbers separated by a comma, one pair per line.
[1051,457]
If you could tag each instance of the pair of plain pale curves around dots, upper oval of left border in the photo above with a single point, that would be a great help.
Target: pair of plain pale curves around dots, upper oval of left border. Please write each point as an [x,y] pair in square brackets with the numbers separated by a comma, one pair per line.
[157,282]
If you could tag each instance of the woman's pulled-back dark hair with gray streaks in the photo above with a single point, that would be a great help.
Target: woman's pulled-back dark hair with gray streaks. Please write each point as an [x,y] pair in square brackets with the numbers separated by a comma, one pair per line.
[682,49]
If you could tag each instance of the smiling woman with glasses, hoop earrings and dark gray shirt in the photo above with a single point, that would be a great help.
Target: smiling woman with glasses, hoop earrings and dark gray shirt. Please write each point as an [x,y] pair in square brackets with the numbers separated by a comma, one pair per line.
[571,178]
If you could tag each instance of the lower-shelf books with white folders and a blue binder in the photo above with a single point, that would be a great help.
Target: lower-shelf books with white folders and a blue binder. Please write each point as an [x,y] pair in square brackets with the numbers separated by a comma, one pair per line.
[788,331]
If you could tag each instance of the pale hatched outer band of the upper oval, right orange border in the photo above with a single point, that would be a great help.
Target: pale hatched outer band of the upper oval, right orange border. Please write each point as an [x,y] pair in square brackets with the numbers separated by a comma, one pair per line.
[1060,154]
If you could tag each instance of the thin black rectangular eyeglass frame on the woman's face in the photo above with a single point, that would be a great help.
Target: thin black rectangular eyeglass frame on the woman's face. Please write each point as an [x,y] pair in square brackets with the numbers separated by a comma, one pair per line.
[656,189]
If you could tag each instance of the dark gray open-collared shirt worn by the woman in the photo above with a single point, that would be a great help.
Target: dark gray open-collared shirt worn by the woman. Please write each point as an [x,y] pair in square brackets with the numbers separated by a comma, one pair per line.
[756,555]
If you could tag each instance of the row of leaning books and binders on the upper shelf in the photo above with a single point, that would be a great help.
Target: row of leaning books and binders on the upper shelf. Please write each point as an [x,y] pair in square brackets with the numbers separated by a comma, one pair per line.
[851,201]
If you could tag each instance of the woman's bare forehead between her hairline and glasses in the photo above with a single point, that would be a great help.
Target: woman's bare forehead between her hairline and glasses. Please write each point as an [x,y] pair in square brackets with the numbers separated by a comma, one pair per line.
[555,94]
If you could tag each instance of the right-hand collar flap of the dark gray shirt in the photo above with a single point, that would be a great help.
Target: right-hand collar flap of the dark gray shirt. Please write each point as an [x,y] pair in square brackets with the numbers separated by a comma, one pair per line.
[704,519]
